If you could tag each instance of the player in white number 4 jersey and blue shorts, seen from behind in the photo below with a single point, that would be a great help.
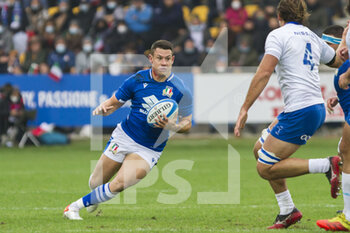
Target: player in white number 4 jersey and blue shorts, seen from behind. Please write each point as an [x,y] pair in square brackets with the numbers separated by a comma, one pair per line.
[296,53]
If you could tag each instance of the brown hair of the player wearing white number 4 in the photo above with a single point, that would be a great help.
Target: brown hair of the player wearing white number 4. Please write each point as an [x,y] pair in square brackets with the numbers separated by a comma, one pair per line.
[293,11]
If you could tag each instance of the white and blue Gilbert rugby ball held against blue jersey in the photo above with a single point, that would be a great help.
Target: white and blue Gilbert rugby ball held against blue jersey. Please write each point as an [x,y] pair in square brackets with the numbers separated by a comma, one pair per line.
[166,106]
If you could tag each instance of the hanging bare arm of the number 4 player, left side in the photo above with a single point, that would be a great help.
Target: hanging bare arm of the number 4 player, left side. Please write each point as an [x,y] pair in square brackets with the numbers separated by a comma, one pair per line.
[259,82]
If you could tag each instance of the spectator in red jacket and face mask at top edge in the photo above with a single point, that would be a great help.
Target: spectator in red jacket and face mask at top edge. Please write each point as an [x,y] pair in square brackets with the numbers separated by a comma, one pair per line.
[236,15]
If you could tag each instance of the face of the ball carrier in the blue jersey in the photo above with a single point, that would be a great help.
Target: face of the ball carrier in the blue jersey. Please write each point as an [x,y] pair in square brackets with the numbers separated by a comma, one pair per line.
[162,61]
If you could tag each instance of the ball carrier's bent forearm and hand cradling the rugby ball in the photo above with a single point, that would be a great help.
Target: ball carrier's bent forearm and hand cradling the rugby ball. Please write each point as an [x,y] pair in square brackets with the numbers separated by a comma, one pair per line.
[184,125]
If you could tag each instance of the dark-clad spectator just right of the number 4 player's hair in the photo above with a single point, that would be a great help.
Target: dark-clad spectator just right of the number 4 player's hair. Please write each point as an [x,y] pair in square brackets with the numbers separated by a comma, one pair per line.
[317,20]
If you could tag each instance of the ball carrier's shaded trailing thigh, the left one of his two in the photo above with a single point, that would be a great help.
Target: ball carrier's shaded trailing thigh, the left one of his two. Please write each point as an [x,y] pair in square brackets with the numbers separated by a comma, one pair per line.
[105,169]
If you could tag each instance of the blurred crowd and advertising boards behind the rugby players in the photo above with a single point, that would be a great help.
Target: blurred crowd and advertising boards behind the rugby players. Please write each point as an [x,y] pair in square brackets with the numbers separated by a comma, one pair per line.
[50,52]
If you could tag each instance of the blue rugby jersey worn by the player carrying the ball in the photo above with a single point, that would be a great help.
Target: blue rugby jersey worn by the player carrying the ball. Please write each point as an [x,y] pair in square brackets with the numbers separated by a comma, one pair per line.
[144,92]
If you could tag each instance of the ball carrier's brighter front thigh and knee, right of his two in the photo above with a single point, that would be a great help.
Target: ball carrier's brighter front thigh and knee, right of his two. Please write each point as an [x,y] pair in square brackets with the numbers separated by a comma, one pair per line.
[134,169]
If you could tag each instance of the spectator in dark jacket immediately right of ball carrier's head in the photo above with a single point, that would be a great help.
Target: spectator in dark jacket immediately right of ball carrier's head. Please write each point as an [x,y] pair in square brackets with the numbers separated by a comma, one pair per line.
[189,56]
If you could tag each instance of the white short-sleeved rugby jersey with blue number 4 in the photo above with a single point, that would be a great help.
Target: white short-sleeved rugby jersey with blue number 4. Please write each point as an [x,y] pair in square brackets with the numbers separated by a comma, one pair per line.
[299,52]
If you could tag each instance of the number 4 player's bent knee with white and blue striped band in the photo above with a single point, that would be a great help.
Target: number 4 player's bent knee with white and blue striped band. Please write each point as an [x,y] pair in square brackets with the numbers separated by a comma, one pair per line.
[265,162]
